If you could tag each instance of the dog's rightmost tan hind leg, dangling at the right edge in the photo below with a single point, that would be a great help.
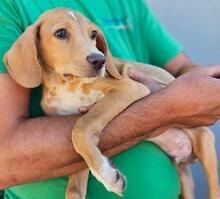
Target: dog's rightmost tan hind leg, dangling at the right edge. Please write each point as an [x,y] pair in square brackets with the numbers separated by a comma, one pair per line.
[204,149]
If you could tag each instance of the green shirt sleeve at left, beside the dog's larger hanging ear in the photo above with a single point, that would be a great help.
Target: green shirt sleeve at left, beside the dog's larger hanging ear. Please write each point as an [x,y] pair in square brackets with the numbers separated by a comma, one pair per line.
[10,28]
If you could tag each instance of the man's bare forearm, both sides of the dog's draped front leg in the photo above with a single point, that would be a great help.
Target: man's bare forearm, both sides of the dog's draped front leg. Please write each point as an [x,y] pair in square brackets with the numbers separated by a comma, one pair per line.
[46,150]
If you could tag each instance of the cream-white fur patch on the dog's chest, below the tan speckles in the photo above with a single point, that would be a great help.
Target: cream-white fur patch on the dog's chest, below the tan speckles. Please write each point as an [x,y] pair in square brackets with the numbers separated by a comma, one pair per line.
[64,102]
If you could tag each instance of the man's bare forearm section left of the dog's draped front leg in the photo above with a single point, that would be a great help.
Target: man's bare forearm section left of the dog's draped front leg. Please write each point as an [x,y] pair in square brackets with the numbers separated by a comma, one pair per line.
[40,146]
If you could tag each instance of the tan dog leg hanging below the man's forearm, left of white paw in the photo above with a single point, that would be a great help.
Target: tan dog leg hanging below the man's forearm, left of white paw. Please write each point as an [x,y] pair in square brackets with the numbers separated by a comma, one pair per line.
[77,185]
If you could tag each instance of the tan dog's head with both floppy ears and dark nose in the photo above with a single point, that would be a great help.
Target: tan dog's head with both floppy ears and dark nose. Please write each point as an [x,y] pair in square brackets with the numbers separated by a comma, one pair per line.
[63,41]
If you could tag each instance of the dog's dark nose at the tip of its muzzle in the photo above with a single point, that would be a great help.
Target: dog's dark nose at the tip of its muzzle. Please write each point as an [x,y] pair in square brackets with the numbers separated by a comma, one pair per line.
[96,60]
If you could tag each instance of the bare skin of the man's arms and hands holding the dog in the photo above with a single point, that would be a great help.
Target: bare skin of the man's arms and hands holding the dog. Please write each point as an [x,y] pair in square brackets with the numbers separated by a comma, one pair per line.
[42,146]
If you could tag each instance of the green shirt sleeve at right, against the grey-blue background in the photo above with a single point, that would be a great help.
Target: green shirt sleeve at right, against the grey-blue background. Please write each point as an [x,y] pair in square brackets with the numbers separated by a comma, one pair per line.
[162,47]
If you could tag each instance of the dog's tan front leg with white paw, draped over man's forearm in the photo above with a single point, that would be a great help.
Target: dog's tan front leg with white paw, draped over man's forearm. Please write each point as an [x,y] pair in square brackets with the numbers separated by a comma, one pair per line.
[85,135]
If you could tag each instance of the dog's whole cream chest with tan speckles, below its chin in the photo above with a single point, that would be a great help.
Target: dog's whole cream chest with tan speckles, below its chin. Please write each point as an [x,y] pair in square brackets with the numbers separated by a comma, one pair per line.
[65,99]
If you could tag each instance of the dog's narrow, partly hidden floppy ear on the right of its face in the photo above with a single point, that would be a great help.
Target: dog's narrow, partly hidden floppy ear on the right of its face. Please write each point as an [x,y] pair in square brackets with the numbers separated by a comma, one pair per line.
[103,47]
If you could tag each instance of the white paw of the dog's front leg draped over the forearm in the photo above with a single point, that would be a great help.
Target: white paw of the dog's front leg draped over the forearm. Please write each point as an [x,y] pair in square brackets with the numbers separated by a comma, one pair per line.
[110,177]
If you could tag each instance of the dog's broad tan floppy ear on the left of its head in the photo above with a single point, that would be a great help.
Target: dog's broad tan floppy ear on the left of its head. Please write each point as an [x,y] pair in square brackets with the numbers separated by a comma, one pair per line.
[21,59]
